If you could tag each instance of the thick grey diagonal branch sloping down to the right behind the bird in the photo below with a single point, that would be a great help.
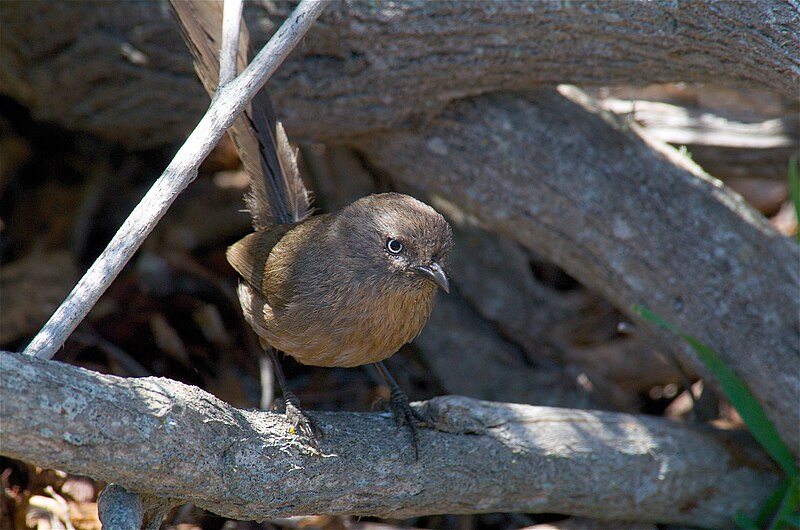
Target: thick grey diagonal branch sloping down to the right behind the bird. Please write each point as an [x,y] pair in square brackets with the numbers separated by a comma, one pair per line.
[638,225]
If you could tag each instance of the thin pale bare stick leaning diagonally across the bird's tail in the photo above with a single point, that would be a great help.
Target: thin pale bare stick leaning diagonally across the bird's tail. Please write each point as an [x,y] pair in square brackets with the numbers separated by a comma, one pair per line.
[224,109]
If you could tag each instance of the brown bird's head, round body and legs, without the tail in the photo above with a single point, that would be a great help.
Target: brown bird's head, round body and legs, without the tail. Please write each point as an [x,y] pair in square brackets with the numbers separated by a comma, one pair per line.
[345,289]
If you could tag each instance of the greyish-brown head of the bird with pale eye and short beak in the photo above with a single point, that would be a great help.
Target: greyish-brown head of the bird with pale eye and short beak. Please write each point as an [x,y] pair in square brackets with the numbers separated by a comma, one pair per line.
[403,237]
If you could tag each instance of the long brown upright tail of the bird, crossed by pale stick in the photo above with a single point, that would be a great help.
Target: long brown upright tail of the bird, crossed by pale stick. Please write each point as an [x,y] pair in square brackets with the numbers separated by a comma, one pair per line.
[277,194]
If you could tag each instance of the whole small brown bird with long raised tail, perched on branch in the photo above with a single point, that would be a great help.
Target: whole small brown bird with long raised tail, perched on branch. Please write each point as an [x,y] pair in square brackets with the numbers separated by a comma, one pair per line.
[341,289]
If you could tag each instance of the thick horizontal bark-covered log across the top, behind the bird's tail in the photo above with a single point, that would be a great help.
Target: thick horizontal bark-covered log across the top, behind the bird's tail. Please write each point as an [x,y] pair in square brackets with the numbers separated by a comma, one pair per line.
[120,69]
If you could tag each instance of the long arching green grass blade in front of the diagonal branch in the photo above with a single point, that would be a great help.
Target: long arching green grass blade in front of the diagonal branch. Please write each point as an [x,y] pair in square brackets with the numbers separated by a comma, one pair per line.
[738,394]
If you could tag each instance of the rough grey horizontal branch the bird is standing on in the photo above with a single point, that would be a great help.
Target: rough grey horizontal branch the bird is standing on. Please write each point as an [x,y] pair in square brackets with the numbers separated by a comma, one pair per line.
[159,437]
